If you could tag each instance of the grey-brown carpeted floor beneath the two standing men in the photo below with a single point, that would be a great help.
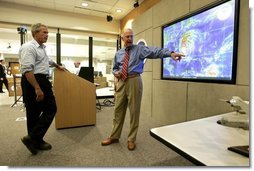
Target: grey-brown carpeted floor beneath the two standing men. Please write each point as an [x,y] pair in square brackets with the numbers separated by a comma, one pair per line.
[80,147]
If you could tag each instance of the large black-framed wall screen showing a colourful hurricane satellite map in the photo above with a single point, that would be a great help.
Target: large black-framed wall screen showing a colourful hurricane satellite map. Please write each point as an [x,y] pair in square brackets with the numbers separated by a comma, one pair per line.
[208,38]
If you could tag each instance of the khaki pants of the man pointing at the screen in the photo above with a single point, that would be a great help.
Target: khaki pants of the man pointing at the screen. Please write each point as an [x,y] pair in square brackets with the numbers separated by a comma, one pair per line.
[128,94]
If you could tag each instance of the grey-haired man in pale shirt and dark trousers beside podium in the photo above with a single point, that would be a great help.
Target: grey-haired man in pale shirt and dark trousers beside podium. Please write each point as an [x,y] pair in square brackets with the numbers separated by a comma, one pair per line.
[37,90]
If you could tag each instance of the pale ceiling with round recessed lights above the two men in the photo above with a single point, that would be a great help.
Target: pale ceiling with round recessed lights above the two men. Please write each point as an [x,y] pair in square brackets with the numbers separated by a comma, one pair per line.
[99,8]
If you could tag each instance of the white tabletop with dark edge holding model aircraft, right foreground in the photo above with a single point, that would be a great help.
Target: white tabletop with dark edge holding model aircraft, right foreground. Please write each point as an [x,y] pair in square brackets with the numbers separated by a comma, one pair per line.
[204,142]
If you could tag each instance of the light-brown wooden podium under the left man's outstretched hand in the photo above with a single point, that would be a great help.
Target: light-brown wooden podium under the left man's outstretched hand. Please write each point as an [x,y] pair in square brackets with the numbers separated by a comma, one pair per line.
[75,99]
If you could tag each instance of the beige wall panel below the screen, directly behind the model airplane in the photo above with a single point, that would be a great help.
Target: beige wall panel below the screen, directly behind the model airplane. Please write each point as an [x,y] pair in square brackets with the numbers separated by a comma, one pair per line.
[205,99]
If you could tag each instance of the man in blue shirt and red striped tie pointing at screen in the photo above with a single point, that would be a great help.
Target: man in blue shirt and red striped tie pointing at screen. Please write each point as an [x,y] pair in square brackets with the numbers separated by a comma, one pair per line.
[128,92]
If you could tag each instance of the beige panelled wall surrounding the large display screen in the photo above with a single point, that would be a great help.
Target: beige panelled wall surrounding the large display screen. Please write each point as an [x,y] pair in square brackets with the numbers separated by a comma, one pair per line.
[175,101]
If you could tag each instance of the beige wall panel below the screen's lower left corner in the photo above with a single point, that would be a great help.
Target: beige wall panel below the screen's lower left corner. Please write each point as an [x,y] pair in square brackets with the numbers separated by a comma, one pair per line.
[169,101]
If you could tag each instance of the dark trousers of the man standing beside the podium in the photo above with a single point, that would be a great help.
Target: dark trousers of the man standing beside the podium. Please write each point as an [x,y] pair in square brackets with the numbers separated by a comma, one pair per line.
[39,114]
